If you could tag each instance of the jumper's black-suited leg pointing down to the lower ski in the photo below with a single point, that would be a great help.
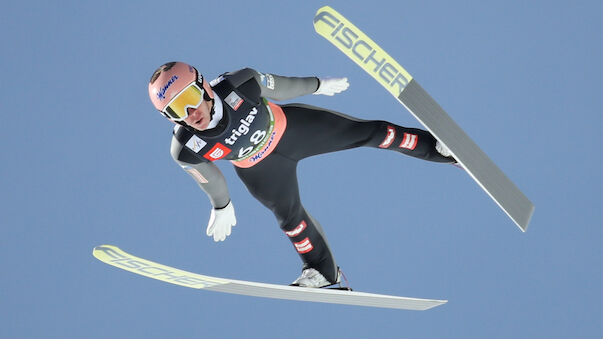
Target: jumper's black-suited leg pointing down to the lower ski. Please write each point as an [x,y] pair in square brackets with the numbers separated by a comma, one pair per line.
[273,182]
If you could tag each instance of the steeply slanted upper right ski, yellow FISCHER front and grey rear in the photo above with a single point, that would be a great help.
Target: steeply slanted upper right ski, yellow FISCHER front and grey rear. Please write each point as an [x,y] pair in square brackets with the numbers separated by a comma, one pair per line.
[383,68]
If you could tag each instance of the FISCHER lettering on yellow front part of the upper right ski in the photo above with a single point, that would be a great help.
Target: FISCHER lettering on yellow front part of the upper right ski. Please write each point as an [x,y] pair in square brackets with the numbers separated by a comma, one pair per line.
[364,52]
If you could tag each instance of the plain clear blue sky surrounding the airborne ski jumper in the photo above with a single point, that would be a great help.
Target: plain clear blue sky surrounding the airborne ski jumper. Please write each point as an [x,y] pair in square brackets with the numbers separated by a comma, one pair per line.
[85,162]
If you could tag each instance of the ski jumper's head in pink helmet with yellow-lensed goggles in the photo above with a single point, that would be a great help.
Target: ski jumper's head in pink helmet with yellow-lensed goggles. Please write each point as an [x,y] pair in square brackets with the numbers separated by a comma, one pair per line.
[180,93]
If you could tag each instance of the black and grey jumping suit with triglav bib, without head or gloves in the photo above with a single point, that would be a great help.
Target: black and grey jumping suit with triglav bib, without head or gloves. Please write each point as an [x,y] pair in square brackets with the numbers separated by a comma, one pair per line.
[266,141]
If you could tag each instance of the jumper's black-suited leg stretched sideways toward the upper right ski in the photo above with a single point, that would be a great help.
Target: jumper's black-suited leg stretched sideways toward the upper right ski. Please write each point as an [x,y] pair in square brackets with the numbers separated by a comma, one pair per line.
[313,130]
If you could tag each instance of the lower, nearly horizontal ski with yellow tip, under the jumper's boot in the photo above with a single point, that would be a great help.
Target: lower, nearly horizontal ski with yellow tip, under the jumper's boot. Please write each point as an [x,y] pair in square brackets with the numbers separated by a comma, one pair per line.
[114,256]
